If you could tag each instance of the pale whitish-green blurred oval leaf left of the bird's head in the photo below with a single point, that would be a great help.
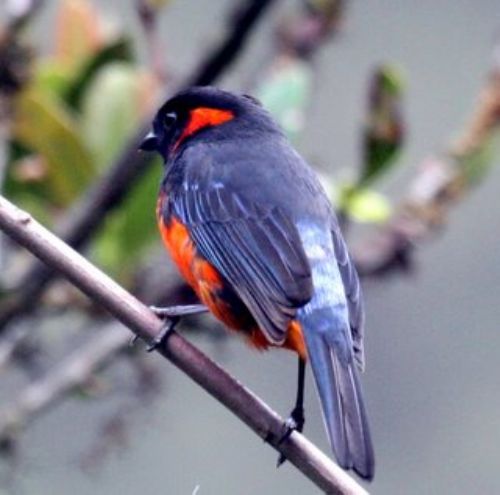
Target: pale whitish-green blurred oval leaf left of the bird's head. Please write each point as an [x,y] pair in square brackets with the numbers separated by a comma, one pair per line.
[112,109]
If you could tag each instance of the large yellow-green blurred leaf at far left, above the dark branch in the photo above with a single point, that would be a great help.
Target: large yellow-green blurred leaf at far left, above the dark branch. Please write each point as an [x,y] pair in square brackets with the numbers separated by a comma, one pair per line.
[43,125]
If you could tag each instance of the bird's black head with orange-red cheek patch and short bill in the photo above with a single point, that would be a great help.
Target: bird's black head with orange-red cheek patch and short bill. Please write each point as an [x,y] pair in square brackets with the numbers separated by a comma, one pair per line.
[204,111]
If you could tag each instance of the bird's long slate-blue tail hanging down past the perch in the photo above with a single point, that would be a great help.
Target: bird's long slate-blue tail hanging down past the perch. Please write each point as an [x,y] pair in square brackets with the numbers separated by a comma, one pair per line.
[339,389]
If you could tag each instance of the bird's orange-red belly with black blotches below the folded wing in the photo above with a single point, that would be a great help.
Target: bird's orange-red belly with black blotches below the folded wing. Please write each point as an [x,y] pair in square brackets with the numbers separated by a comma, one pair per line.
[214,292]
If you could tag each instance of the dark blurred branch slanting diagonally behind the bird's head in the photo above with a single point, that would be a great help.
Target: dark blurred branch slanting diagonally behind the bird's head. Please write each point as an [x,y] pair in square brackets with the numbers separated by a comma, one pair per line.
[85,217]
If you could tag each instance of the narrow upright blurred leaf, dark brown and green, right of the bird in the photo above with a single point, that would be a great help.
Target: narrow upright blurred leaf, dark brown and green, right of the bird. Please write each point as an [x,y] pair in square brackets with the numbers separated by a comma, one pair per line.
[384,129]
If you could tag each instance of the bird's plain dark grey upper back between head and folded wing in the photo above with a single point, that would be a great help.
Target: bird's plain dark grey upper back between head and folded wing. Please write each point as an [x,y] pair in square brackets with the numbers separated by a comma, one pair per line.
[265,171]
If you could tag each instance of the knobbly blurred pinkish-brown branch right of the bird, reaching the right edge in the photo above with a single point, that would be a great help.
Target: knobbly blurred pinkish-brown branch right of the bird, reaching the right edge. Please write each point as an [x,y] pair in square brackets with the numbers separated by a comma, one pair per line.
[441,181]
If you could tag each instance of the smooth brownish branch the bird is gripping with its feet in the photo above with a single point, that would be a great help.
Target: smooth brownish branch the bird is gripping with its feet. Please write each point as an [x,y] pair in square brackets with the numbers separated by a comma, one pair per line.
[131,312]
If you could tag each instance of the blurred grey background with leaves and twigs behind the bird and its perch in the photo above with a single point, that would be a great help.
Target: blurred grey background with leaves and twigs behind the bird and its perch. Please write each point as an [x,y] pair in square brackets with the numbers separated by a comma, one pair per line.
[396,105]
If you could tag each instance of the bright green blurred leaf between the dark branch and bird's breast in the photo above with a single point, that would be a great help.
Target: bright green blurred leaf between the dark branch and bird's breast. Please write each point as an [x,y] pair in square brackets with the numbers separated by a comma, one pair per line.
[131,230]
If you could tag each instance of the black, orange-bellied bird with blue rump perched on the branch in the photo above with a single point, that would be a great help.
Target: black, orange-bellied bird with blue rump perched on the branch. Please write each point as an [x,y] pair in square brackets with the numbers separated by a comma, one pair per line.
[250,228]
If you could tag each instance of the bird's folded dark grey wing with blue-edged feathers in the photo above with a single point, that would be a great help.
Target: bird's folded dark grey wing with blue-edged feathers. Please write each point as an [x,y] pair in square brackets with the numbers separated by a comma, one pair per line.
[257,250]
